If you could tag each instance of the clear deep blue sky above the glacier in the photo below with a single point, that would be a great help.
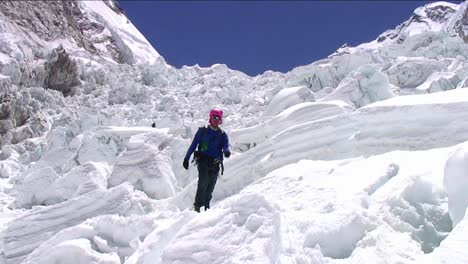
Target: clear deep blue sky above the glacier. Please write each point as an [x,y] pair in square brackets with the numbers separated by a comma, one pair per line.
[257,36]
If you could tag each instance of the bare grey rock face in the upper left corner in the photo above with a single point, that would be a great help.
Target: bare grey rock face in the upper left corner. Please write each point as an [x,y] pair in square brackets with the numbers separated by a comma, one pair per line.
[52,20]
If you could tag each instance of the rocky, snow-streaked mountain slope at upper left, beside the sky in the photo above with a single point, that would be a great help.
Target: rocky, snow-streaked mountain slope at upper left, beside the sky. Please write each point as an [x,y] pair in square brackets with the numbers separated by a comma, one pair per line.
[84,28]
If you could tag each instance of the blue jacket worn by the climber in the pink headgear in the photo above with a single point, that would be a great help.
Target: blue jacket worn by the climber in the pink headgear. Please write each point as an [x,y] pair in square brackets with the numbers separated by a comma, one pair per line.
[213,143]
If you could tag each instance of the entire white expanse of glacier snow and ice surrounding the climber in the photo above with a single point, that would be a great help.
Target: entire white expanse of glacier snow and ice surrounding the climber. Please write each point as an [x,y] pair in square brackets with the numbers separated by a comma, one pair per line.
[361,157]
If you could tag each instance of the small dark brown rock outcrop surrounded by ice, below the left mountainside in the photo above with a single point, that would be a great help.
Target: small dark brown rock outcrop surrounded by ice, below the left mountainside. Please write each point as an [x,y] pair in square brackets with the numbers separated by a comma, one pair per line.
[61,72]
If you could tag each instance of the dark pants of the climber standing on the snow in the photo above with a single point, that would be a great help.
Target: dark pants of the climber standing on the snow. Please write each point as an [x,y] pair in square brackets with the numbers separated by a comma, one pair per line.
[208,172]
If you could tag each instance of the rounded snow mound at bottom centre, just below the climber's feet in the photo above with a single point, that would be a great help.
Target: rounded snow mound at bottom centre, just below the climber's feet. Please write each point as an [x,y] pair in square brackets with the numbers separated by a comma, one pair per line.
[238,231]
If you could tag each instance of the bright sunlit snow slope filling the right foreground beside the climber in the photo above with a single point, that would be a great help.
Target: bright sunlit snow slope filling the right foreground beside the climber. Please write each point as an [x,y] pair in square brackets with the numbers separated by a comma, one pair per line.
[386,209]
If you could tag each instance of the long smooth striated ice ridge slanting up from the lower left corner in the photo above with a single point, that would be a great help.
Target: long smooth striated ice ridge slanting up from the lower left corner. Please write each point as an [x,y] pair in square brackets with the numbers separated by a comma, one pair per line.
[27,232]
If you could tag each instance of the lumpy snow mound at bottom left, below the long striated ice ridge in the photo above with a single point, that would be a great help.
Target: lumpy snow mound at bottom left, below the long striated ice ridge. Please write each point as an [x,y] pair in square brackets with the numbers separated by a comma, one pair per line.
[113,238]
